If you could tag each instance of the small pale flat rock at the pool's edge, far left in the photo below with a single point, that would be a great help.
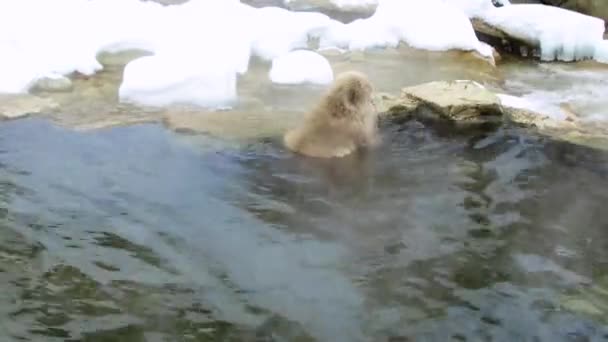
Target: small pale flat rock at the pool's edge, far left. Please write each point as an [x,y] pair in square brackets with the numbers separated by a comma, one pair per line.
[16,106]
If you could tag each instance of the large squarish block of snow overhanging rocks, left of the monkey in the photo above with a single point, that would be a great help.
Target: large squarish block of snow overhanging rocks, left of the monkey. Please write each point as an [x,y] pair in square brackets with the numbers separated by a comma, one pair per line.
[164,80]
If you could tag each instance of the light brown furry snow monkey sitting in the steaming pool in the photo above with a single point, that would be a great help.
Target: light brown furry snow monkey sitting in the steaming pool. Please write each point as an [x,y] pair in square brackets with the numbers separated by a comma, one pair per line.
[344,120]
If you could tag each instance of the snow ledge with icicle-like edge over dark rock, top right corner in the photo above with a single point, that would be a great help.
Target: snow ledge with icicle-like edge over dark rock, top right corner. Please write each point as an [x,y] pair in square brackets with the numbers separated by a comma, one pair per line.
[561,34]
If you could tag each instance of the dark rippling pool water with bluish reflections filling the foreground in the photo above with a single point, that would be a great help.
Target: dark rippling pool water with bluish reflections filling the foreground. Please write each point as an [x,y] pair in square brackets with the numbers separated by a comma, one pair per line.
[138,234]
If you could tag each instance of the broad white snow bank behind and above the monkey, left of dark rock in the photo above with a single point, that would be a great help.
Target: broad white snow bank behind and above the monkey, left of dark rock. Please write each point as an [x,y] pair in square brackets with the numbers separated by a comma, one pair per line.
[429,24]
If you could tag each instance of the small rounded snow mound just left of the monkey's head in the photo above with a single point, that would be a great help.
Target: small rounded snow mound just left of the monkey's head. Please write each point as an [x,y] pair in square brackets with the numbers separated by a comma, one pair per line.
[301,66]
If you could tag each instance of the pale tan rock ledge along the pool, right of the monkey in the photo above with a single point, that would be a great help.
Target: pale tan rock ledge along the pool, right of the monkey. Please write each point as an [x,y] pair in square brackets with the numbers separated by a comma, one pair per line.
[469,104]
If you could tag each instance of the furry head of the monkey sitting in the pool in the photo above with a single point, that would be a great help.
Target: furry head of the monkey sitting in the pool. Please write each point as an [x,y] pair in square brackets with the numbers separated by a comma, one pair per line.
[350,96]
